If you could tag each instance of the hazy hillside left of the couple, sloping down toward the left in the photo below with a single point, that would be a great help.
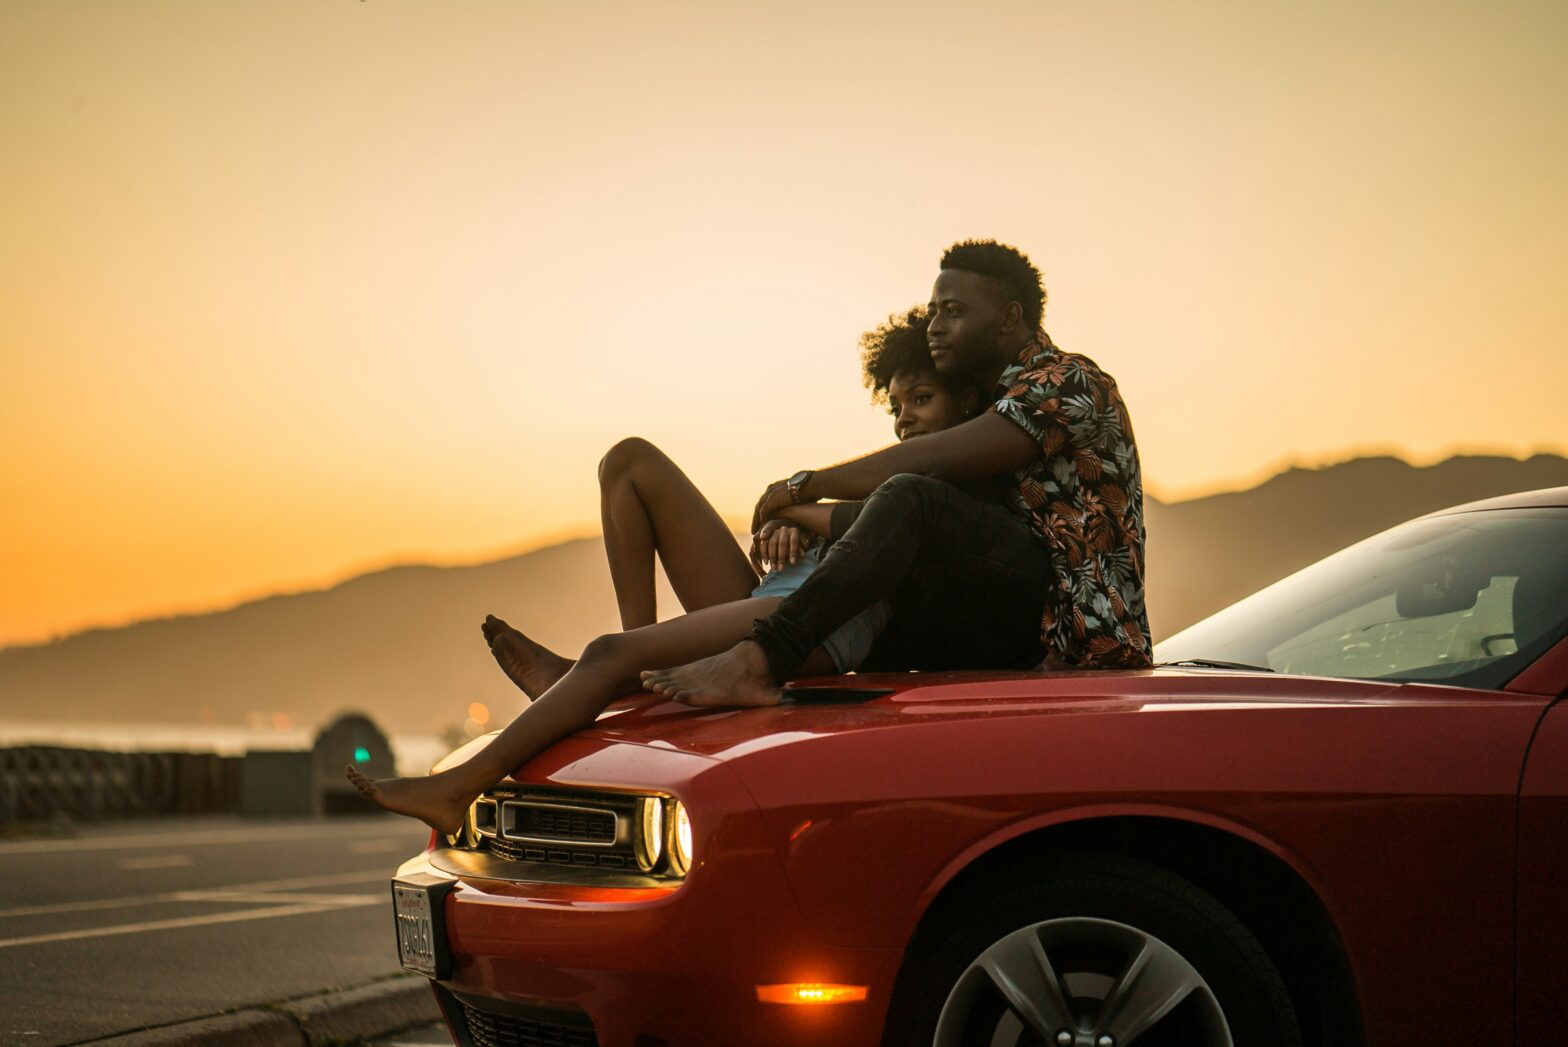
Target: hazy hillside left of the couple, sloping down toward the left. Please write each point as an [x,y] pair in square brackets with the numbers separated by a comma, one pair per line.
[402,645]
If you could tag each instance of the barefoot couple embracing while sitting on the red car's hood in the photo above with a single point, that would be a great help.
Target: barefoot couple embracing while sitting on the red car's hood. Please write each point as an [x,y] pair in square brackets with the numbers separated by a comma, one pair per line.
[1009,535]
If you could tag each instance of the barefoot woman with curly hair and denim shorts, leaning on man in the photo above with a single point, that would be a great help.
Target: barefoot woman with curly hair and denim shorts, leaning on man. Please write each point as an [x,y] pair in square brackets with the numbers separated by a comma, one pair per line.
[652,509]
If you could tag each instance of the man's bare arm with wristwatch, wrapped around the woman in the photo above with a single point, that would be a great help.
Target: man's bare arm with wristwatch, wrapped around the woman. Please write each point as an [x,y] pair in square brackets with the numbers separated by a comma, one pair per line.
[981,447]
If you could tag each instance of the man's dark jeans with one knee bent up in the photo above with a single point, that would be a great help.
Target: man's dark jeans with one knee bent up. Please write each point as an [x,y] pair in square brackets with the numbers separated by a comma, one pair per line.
[967,581]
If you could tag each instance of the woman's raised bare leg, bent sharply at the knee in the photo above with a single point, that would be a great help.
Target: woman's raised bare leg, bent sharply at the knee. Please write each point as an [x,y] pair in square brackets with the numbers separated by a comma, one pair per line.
[650,507]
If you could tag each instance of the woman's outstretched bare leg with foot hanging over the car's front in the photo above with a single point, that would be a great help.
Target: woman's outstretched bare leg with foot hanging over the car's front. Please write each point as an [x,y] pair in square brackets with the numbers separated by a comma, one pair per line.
[608,670]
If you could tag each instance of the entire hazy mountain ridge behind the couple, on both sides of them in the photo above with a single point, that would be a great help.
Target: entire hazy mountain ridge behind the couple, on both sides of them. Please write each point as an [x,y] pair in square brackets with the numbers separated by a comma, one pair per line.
[404,643]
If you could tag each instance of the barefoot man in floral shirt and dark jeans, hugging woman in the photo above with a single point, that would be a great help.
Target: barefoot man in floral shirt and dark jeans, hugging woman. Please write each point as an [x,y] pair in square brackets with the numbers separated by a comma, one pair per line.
[1053,576]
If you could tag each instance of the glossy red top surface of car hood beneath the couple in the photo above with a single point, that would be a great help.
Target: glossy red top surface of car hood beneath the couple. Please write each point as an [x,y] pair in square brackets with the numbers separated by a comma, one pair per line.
[835,706]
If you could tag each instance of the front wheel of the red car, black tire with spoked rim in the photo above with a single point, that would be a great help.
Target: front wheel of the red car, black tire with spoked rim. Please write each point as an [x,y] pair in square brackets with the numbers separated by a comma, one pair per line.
[982,973]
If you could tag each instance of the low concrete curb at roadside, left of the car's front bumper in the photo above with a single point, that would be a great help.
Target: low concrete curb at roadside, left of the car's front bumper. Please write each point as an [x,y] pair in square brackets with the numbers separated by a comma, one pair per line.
[335,1018]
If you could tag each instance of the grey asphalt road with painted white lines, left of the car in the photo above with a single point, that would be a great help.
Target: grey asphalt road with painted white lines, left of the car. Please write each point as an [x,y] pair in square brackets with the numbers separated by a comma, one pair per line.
[132,926]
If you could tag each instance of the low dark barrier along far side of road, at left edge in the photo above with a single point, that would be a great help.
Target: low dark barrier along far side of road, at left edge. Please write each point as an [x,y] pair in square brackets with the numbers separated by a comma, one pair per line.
[42,783]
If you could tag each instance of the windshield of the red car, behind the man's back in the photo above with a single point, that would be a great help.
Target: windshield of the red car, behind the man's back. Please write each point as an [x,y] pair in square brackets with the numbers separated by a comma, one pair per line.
[1465,600]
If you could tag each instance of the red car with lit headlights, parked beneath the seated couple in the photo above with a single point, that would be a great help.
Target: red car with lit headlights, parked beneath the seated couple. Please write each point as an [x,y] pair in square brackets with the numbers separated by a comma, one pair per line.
[1337,814]
